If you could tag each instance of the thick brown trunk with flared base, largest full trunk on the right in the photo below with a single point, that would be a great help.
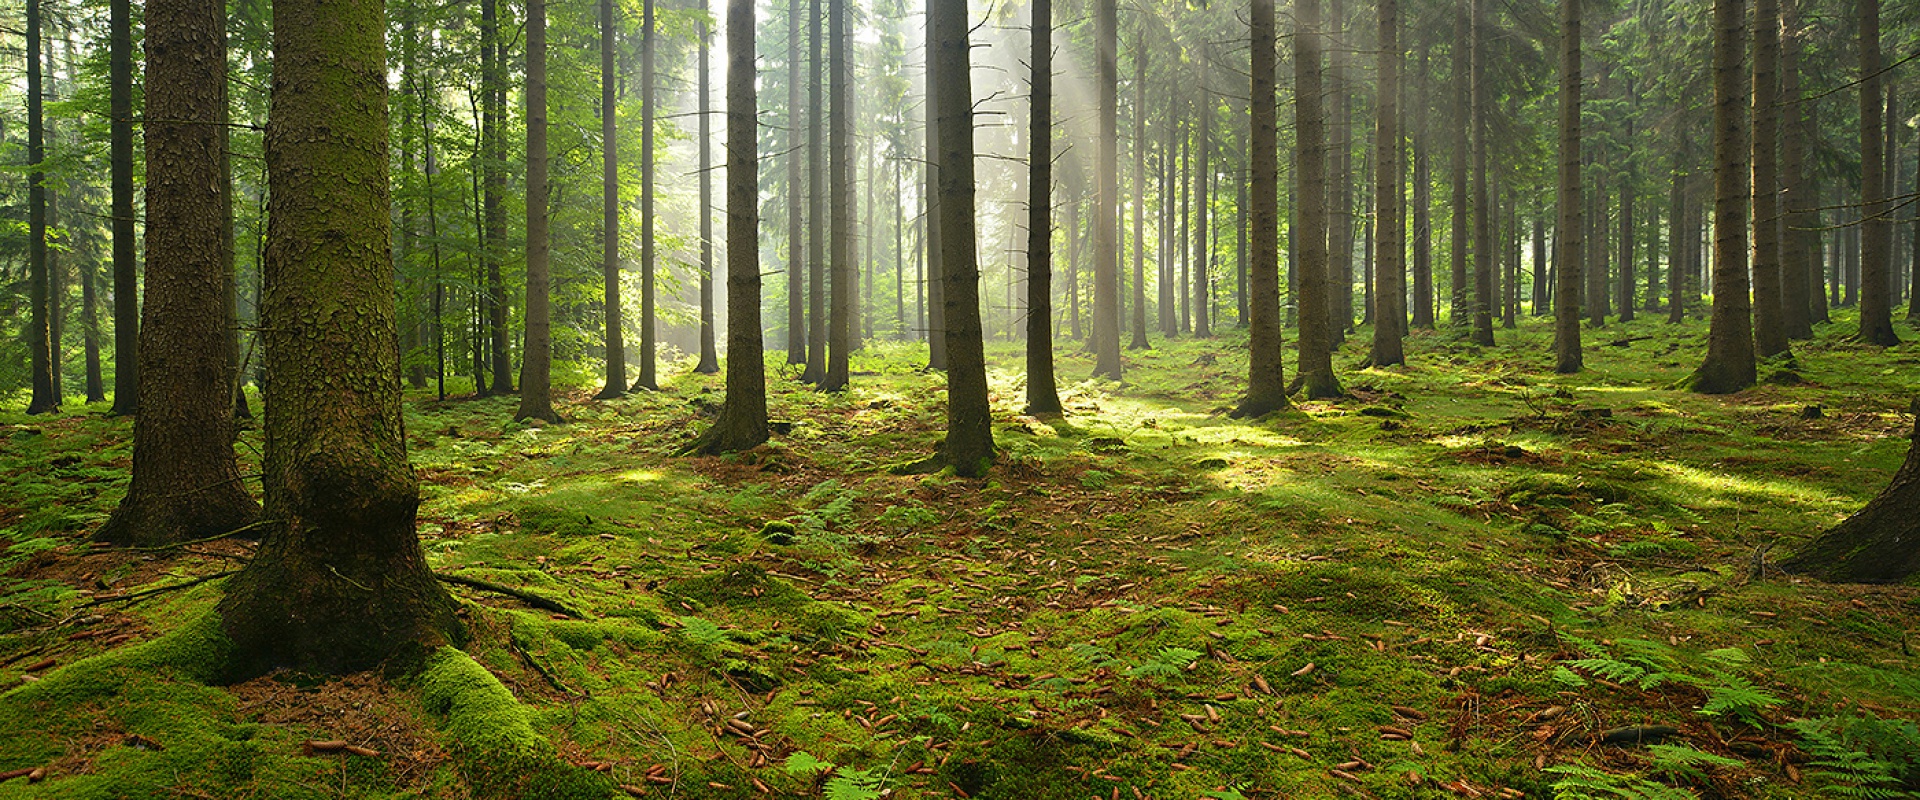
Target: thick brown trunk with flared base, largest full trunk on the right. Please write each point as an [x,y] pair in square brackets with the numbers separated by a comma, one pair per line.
[1729,364]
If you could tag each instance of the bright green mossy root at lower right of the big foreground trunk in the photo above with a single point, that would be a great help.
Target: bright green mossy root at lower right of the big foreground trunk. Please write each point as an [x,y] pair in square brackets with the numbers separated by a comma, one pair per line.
[492,738]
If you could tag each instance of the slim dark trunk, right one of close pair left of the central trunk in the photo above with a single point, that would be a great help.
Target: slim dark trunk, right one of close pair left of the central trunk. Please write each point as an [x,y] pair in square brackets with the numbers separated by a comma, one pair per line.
[840,206]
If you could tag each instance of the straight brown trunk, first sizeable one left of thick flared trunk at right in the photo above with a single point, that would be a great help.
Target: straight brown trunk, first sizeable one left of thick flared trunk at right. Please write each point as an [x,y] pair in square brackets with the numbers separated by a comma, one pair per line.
[1570,227]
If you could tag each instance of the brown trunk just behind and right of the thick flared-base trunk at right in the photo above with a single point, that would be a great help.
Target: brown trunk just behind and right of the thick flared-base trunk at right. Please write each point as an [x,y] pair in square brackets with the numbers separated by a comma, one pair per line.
[1769,323]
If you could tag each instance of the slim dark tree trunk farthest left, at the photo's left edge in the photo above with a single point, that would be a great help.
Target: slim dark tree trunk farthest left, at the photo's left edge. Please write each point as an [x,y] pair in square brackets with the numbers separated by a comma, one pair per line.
[41,341]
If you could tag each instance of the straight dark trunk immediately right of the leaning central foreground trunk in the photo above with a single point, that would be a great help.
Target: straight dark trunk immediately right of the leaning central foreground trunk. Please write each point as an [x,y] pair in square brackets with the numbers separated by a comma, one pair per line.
[1044,398]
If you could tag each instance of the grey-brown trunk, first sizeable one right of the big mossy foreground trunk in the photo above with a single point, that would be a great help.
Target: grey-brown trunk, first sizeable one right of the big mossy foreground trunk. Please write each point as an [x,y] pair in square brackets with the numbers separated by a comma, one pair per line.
[537,367]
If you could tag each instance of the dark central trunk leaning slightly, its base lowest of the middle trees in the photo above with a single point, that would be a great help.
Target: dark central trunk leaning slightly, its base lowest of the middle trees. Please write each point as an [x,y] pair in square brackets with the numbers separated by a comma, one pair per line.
[969,446]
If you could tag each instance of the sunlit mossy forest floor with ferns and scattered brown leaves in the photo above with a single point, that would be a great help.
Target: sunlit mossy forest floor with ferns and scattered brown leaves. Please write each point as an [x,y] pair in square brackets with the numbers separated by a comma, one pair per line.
[1470,578]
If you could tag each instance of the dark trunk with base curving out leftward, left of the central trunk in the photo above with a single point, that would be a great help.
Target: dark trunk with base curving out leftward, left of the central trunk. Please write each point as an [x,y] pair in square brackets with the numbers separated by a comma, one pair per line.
[742,421]
